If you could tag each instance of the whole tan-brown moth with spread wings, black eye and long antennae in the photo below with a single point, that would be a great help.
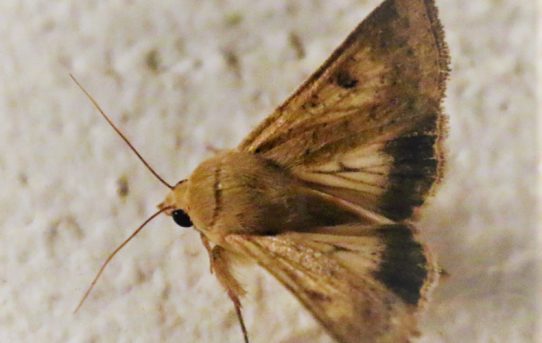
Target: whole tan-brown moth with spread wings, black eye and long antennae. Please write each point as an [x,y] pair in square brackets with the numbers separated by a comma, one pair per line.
[323,193]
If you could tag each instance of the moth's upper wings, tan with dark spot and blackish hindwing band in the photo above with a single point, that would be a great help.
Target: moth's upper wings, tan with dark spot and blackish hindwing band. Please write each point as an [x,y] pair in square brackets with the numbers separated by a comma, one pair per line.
[371,113]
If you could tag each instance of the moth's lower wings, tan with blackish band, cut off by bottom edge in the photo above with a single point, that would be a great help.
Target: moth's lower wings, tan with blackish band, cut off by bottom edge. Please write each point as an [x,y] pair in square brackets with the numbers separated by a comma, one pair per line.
[345,280]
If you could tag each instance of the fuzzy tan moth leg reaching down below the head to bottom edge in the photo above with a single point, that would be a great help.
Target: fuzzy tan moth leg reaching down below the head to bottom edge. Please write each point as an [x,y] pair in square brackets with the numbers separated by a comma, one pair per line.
[220,265]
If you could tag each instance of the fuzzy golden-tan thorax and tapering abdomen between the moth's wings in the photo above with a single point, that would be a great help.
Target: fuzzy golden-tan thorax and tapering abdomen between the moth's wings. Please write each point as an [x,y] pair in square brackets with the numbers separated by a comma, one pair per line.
[239,192]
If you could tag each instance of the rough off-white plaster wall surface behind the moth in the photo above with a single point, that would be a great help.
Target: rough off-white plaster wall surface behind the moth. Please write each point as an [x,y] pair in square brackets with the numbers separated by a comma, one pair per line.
[179,75]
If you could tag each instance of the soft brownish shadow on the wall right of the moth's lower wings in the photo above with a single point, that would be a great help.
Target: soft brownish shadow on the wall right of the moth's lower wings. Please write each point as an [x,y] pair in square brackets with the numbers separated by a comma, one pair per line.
[492,282]
